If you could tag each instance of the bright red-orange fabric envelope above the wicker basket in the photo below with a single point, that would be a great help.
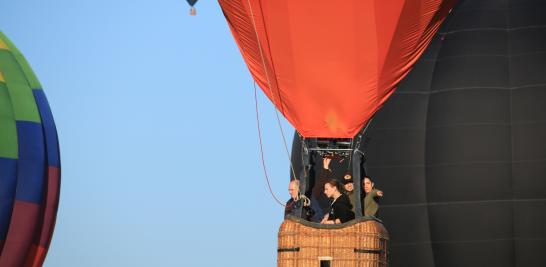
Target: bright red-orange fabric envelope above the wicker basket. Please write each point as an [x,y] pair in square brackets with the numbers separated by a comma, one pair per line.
[329,66]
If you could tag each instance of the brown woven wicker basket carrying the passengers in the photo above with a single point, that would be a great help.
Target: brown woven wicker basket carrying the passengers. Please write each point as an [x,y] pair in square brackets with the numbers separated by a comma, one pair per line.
[361,242]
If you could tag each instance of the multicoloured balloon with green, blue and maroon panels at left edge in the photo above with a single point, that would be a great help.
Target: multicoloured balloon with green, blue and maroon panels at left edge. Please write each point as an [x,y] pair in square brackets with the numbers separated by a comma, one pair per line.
[29,163]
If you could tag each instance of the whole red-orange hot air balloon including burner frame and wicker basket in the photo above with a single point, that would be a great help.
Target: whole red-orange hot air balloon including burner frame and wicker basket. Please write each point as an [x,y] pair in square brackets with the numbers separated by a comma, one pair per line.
[328,68]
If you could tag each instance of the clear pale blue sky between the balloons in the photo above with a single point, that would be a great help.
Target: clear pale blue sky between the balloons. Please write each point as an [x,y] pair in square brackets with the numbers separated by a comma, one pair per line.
[155,114]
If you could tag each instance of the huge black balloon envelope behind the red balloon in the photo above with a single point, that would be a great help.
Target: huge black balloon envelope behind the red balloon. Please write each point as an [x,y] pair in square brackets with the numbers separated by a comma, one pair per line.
[460,148]
